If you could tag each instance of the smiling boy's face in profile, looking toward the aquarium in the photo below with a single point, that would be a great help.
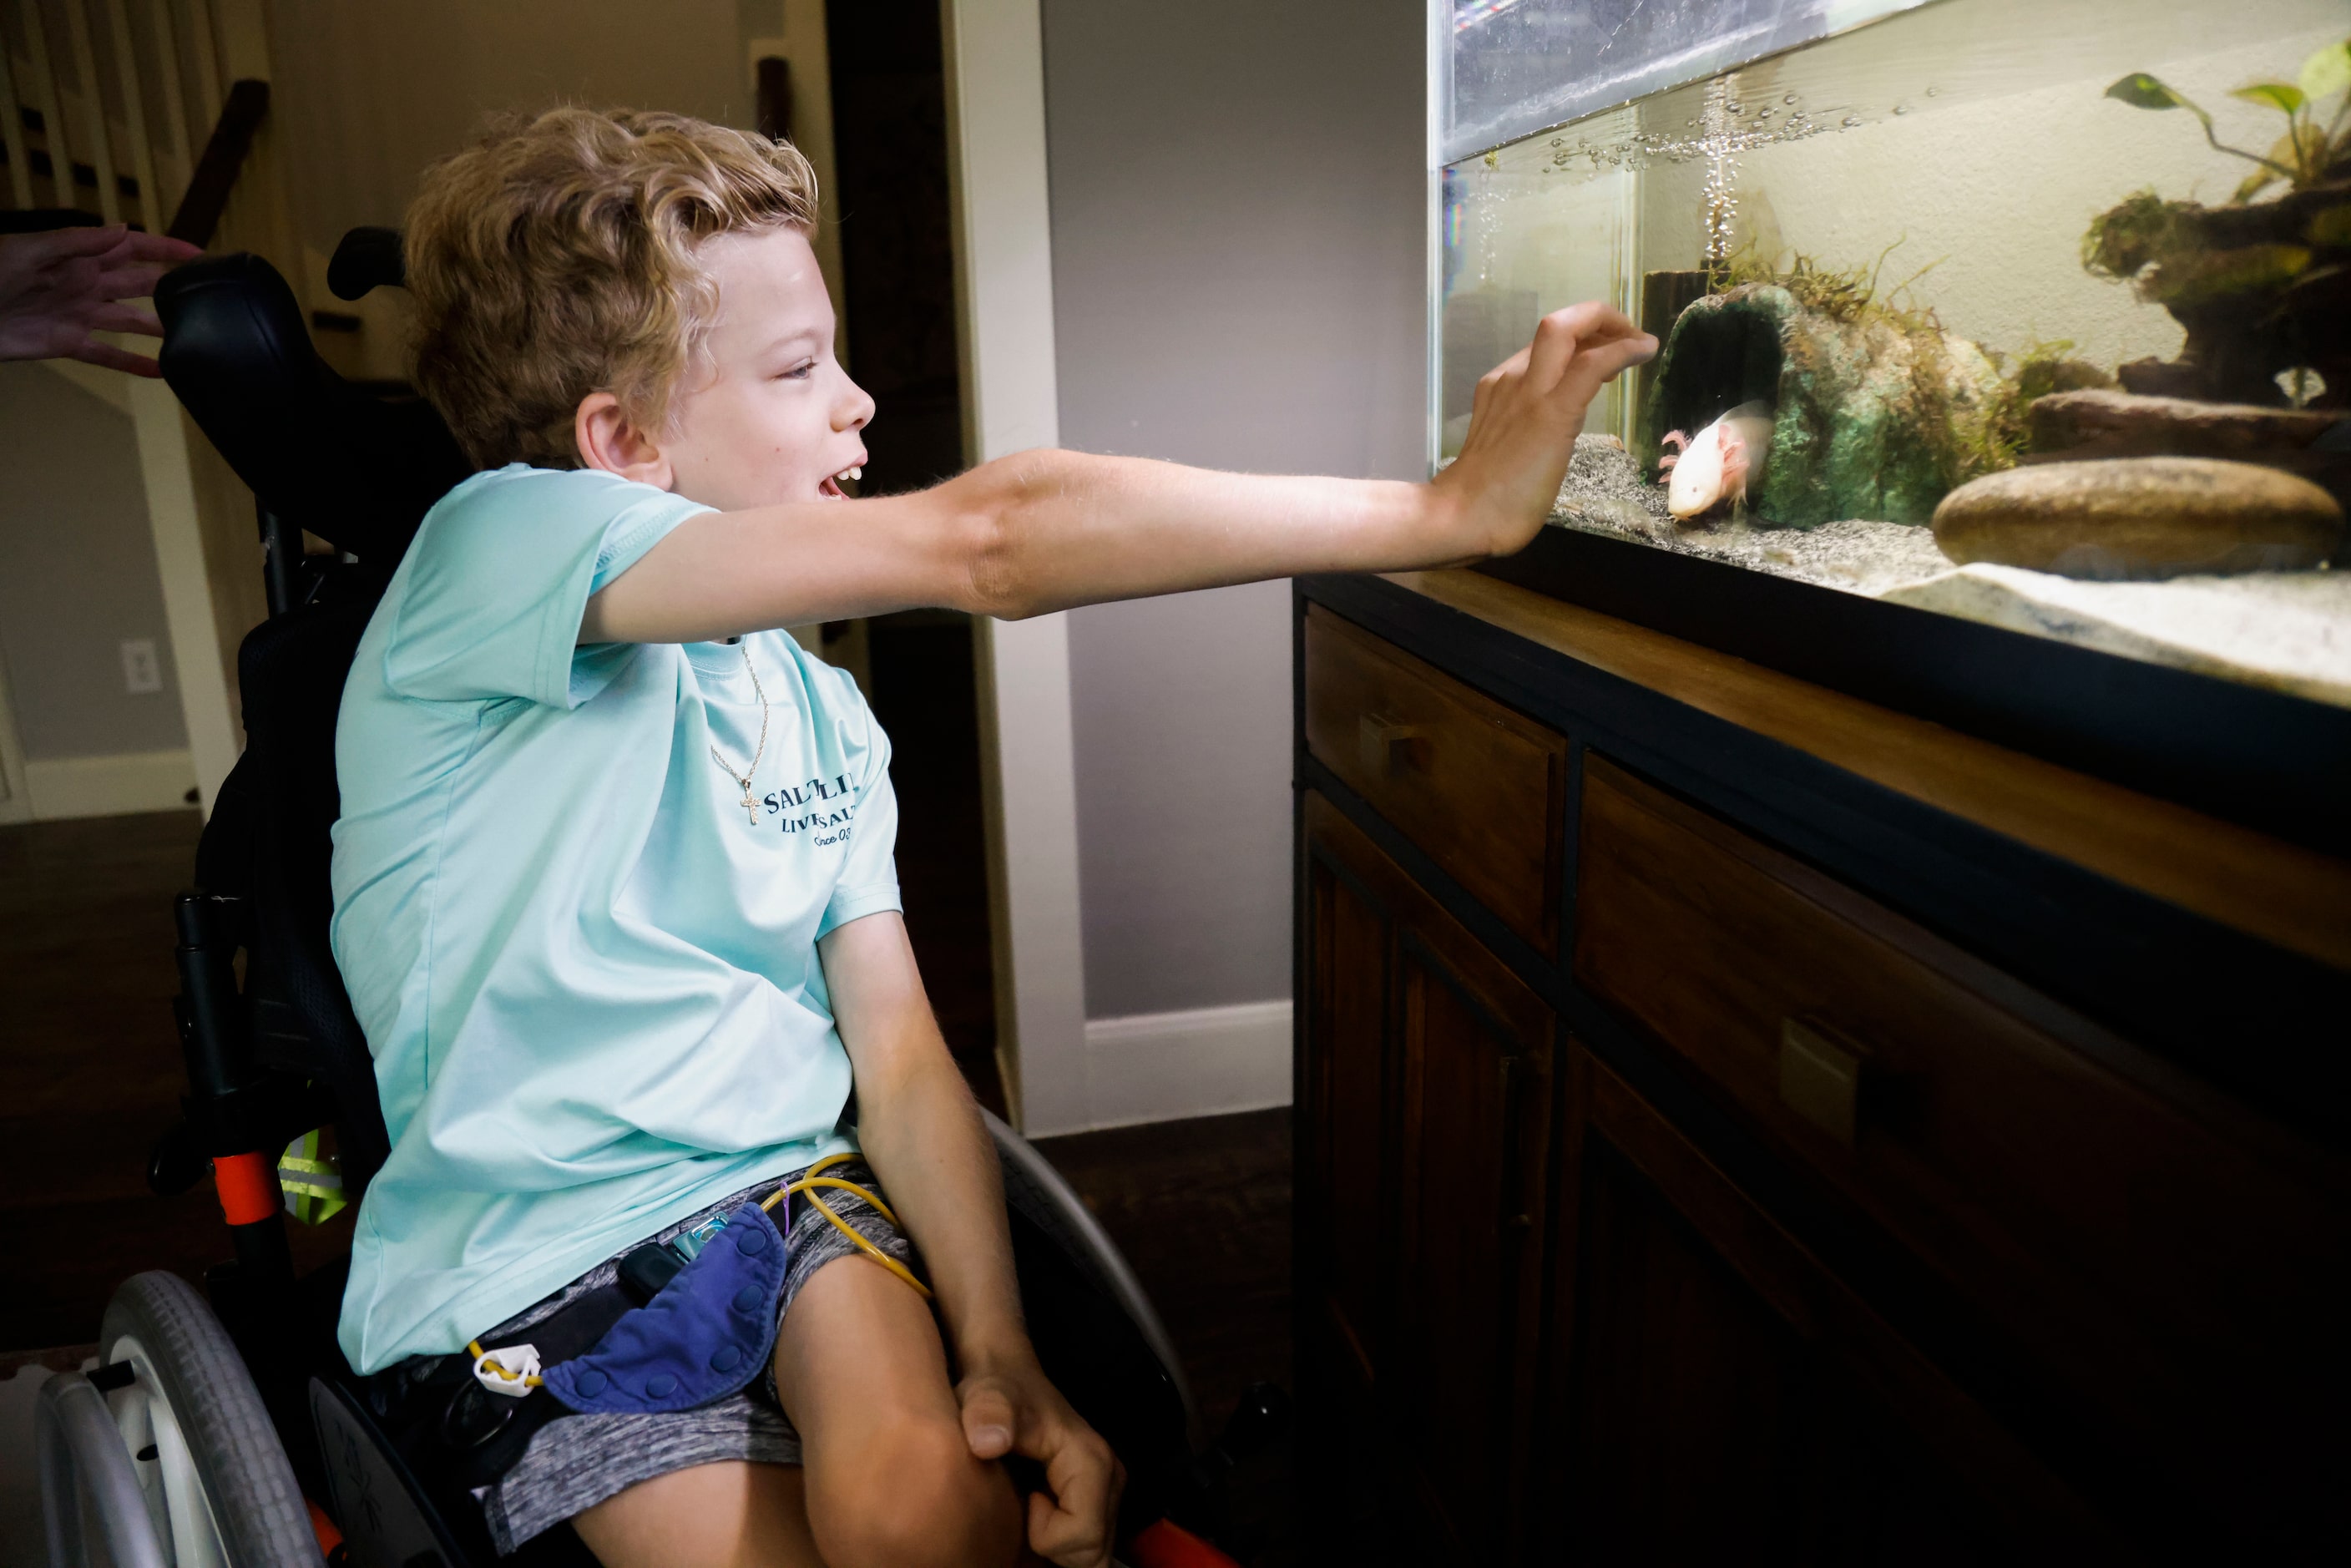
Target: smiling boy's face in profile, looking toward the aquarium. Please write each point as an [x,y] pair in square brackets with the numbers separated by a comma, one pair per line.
[772,417]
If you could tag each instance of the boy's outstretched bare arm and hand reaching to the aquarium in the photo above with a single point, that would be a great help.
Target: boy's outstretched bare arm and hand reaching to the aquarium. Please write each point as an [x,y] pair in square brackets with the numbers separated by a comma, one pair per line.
[1050,530]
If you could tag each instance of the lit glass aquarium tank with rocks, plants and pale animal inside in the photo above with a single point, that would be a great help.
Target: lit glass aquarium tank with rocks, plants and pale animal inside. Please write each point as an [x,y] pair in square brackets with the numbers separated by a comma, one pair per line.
[2032,314]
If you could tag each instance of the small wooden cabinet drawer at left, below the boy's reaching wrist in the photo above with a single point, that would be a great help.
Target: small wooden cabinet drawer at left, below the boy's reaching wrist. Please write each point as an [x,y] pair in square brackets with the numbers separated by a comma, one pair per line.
[1473,784]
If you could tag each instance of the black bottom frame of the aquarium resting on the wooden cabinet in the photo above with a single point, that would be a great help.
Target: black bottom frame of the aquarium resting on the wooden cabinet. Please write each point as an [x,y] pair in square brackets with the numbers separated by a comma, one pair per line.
[2242,753]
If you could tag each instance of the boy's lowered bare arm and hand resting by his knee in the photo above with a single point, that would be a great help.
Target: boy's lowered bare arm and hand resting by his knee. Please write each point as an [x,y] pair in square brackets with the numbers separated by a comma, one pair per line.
[923,1137]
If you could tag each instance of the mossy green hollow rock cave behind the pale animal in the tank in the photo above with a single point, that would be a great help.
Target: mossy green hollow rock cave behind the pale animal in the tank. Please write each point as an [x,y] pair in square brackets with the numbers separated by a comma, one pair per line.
[1877,413]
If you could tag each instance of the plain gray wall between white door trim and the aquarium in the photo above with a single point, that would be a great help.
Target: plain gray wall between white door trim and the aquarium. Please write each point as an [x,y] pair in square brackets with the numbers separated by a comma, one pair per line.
[1238,283]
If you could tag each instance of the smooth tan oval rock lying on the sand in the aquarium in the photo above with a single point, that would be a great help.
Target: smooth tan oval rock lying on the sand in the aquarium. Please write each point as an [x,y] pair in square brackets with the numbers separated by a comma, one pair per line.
[2141,518]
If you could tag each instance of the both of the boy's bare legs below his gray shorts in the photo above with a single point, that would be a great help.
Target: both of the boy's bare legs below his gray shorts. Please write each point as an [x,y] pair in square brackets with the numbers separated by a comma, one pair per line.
[890,1477]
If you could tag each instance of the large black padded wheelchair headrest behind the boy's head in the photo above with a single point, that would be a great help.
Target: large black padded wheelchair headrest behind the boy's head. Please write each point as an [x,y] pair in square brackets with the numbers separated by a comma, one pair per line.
[337,460]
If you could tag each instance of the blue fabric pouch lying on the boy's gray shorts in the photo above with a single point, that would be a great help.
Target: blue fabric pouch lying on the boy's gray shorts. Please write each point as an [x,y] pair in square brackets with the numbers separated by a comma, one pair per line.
[704,1336]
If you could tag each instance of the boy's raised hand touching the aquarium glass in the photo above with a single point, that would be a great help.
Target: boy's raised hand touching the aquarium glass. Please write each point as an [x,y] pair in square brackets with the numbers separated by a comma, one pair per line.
[1525,422]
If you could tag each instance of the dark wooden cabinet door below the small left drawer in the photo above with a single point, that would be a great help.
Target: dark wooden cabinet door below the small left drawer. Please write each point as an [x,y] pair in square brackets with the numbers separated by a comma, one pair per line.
[1421,1209]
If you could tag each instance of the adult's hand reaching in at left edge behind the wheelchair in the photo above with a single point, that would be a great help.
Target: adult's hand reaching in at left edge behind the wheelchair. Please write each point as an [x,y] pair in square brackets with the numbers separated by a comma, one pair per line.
[65,286]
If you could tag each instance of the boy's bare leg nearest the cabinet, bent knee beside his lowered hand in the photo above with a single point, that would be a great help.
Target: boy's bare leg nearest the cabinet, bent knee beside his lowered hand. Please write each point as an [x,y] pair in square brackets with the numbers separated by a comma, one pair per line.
[890,1475]
